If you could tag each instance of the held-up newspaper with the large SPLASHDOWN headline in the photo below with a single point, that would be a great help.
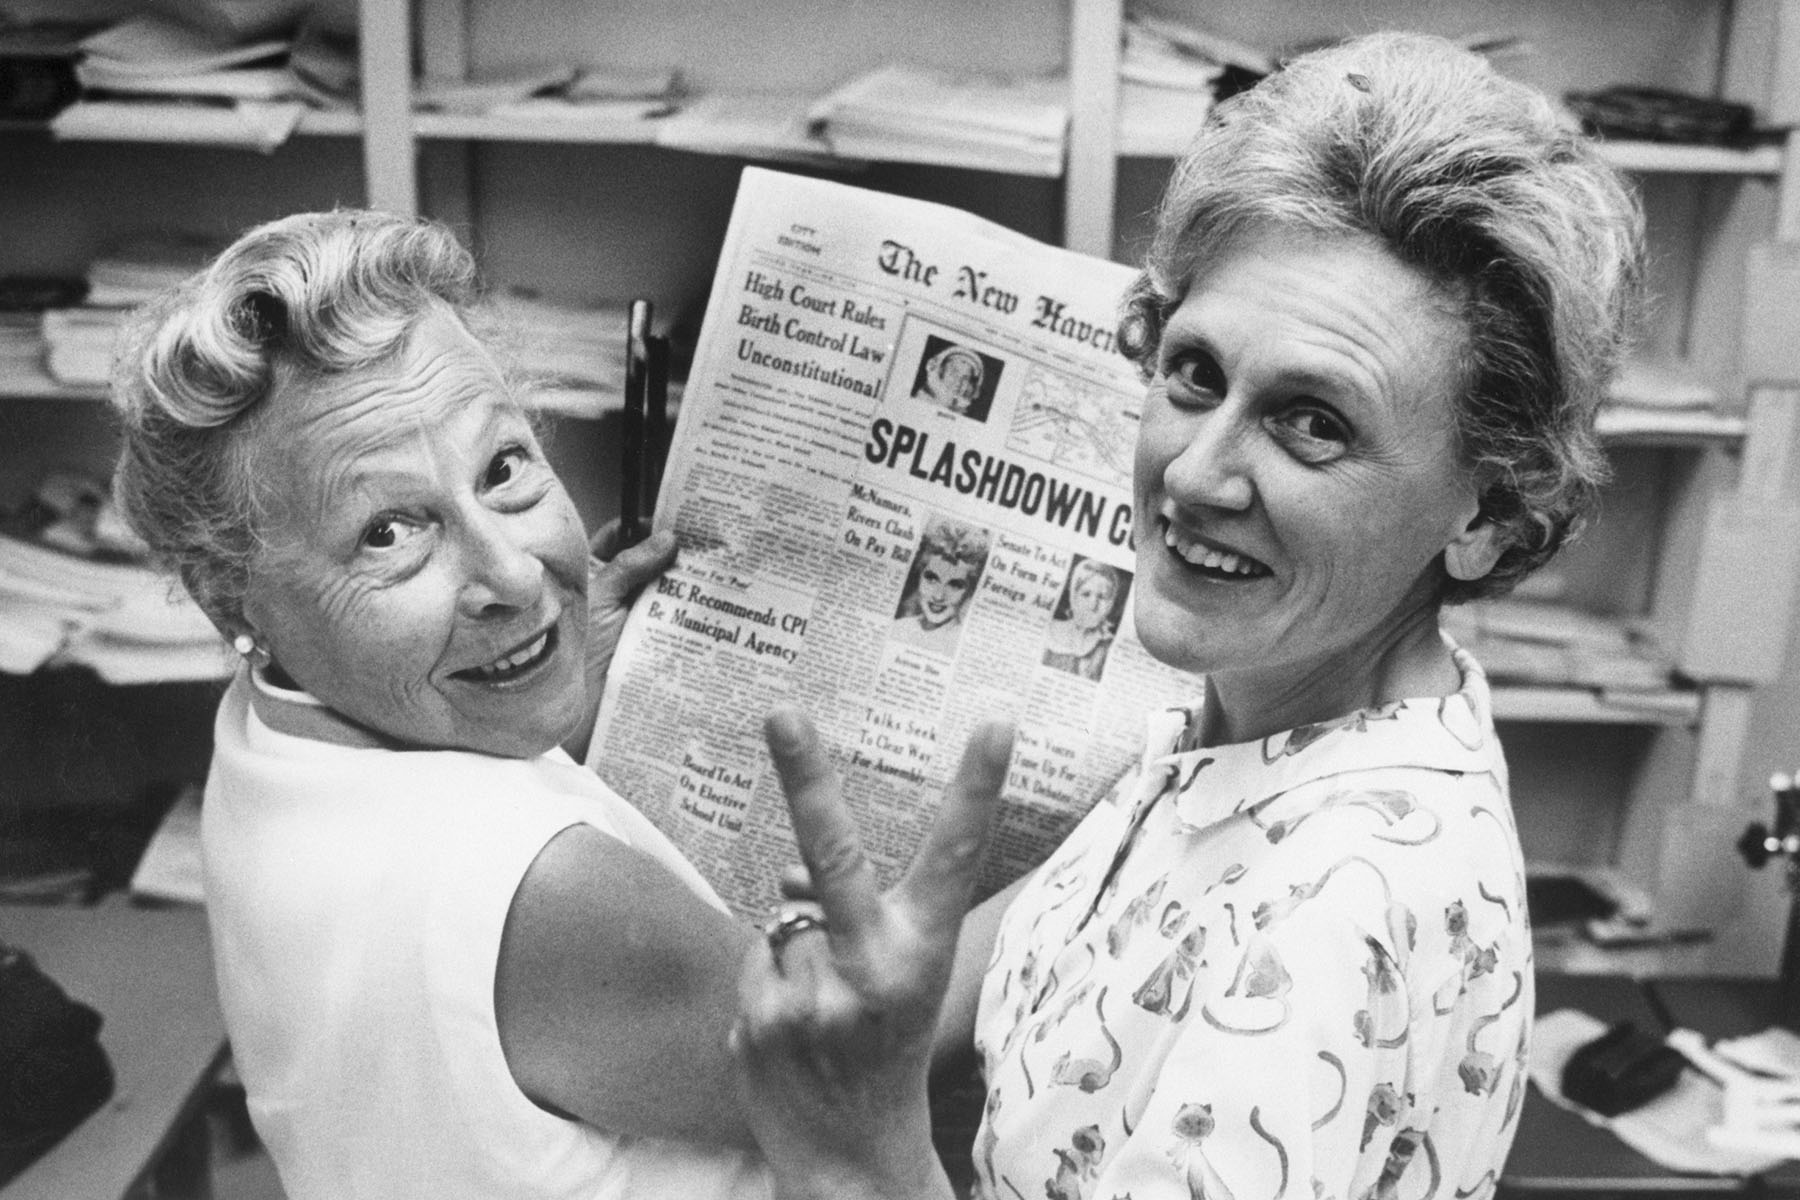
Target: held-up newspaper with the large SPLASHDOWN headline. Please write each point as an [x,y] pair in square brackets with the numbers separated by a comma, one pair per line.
[901,483]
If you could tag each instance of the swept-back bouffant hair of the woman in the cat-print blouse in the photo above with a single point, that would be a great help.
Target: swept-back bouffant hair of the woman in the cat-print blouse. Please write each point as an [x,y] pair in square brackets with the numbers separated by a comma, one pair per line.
[1470,179]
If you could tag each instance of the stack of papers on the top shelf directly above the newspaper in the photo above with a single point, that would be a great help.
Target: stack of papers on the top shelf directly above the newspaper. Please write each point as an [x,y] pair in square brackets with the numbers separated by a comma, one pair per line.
[912,114]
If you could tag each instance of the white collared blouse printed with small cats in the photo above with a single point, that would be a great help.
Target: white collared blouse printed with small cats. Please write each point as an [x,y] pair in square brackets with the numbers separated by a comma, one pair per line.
[1297,967]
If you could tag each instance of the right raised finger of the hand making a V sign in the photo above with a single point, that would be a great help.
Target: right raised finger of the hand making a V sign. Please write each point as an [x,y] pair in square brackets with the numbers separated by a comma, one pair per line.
[944,870]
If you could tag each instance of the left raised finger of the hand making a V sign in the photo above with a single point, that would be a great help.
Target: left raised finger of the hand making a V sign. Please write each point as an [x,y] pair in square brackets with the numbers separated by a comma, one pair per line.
[841,875]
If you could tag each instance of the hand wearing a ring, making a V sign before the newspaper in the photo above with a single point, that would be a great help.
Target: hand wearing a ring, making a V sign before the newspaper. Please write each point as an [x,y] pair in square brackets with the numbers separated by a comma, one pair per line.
[840,1005]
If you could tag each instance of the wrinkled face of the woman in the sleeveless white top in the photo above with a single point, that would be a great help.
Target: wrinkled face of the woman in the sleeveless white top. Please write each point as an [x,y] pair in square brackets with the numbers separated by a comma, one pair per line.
[426,573]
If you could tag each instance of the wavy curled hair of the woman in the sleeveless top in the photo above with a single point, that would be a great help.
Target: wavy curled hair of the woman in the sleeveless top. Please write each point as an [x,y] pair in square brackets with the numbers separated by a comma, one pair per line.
[289,305]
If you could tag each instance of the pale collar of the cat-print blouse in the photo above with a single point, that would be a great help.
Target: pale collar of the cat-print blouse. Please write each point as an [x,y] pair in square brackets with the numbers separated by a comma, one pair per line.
[1432,733]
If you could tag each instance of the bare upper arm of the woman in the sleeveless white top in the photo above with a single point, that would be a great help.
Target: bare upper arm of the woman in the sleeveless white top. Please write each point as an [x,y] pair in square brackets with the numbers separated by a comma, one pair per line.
[615,992]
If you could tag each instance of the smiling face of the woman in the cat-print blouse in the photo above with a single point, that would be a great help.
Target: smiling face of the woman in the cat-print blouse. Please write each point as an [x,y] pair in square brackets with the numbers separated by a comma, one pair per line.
[1297,472]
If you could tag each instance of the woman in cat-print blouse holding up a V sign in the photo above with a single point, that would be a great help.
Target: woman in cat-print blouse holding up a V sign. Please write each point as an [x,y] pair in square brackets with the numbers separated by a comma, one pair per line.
[1290,954]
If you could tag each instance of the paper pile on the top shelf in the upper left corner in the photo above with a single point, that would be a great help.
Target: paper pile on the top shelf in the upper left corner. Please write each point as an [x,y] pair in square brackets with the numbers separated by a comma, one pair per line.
[166,80]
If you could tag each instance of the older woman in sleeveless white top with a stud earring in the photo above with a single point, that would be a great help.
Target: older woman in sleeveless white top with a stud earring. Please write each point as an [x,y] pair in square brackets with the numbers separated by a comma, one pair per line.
[453,963]
